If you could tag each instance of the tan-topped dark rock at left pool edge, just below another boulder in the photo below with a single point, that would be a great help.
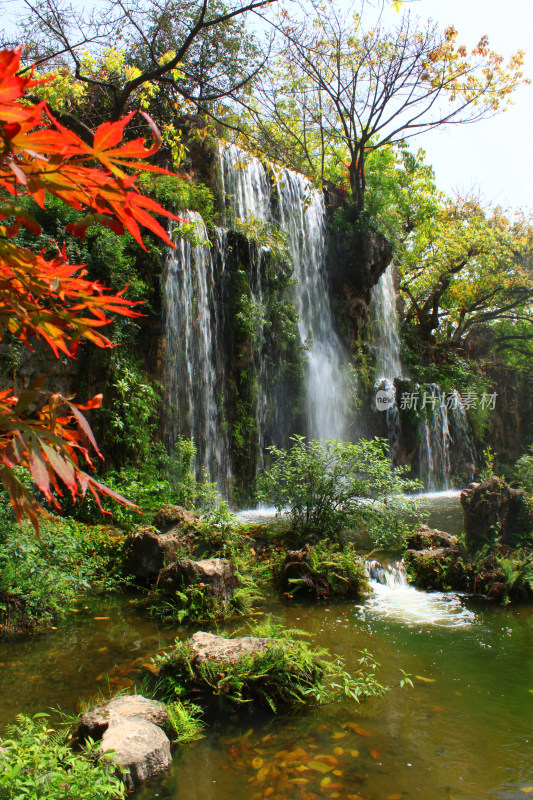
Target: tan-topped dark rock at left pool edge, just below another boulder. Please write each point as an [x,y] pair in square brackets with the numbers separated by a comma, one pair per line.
[214,574]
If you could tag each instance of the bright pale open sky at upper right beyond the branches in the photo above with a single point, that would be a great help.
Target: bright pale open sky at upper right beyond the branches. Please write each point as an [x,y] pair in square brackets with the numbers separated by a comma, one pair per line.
[494,156]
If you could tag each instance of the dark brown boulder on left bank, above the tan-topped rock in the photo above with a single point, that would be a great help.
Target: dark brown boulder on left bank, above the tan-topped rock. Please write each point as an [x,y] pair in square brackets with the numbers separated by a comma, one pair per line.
[147,551]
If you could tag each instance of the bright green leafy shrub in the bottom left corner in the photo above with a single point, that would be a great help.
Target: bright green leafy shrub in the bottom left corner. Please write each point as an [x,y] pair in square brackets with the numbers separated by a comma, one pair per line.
[39,764]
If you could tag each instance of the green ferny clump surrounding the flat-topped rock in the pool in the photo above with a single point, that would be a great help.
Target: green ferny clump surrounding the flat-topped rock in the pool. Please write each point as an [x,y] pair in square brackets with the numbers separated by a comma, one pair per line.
[288,673]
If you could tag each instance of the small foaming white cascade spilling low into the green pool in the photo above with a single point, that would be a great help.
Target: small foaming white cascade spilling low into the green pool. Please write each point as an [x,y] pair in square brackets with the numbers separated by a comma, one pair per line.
[395,600]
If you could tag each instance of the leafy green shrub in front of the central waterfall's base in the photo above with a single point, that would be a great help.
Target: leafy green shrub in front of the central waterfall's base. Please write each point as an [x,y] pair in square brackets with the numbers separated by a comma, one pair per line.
[329,486]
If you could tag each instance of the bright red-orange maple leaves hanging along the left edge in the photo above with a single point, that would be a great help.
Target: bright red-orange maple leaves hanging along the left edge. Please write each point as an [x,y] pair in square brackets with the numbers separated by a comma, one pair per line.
[51,299]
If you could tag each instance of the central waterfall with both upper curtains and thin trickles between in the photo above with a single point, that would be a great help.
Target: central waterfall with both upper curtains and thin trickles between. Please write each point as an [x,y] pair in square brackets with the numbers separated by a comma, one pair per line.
[302,216]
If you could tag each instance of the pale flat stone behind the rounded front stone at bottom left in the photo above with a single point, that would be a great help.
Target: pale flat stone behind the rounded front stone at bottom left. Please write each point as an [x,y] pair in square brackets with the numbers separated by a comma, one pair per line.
[94,723]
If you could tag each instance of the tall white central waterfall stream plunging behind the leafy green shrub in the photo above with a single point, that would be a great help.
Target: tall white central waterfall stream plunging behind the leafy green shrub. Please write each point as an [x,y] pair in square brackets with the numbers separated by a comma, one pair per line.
[303,218]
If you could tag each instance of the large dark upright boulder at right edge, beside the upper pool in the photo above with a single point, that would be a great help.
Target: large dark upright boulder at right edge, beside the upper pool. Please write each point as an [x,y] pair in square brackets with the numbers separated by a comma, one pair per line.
[496,513]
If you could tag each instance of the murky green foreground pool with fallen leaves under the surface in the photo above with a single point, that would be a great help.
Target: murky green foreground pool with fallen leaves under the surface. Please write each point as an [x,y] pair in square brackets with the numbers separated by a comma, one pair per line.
[462,732]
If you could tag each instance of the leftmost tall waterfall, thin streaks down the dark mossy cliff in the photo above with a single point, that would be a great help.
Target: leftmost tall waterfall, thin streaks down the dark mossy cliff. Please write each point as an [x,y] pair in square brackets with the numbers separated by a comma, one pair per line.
[191,335]
